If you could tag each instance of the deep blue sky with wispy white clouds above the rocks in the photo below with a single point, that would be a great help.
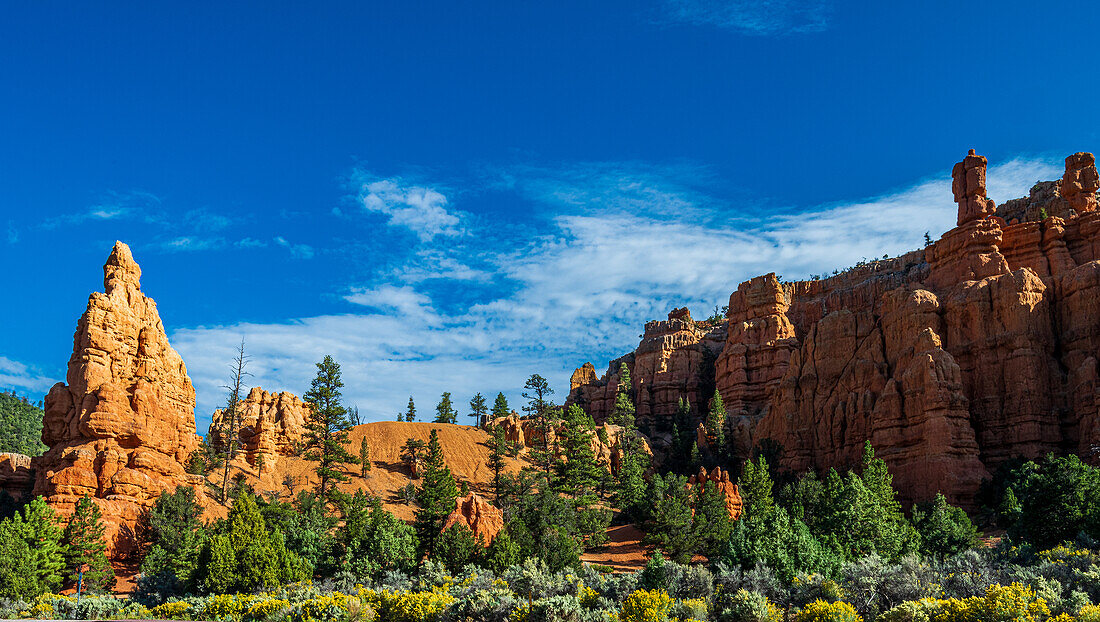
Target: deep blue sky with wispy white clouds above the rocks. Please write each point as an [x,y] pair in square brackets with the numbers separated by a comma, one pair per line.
[453,197]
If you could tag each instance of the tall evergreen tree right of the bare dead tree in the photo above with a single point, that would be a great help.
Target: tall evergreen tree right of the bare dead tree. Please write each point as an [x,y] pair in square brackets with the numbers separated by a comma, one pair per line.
[327,427]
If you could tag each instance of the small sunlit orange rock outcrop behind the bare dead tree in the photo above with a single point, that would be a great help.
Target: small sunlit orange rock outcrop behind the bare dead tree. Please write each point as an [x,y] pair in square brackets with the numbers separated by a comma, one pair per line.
[271,424]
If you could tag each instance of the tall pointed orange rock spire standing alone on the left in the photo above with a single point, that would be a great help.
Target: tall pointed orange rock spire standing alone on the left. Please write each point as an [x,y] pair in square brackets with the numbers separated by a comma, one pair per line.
[123,428]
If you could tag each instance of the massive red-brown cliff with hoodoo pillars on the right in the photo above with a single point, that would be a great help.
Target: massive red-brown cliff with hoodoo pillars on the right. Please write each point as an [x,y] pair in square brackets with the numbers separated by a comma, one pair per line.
[952,359]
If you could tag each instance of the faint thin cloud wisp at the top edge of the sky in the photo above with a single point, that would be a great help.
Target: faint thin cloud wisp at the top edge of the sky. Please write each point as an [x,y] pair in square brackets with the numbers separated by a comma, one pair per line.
[753,17]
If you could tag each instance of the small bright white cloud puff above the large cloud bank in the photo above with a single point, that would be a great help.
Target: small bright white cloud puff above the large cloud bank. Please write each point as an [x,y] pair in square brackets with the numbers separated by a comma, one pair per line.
[421,210]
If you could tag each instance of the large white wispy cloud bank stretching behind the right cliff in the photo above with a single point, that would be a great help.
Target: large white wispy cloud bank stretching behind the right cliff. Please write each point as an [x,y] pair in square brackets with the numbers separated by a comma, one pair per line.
[581,283]
